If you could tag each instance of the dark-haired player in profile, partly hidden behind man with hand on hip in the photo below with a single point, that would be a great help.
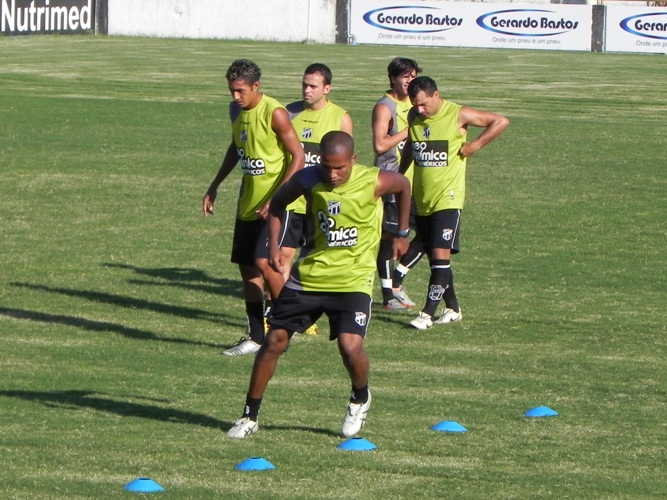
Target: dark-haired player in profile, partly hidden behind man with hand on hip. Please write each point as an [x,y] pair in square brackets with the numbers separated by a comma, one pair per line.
[390,131]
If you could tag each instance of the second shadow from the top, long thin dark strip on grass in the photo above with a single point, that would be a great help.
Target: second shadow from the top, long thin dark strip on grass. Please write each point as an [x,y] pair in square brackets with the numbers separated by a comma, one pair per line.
[129,302]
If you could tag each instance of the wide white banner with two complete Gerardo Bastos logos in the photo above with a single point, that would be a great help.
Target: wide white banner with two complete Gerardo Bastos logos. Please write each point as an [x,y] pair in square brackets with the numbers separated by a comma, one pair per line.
[465,24]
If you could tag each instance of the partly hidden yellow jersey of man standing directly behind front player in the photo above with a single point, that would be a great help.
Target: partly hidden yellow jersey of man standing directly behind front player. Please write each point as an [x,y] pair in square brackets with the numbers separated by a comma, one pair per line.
[310,126]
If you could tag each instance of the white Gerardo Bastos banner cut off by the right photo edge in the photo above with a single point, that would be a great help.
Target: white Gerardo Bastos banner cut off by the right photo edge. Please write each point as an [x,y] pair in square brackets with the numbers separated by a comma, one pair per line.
[636,29]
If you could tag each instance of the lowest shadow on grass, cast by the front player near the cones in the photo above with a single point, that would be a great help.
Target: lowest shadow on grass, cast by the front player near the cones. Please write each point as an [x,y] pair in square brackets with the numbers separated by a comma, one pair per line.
[105,403]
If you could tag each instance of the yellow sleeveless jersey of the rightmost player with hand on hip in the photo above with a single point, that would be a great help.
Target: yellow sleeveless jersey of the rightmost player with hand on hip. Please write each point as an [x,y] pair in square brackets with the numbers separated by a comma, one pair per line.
[439,178]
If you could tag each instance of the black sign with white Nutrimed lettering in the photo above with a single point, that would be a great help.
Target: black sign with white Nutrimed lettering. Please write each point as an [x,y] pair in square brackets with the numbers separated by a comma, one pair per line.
[28,17]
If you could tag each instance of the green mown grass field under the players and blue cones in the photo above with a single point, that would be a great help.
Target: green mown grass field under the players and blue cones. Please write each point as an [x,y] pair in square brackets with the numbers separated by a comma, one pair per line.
[117,296]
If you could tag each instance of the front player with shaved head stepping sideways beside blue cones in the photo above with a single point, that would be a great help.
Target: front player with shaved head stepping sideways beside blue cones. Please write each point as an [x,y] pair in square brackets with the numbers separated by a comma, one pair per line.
[335,271]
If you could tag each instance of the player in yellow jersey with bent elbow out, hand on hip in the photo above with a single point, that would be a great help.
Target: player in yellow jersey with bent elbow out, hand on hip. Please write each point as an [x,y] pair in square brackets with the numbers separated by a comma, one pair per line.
[437,142]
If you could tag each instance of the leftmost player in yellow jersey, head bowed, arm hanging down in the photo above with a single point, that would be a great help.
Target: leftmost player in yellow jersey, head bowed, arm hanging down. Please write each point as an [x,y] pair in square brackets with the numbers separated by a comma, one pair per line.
[265,144]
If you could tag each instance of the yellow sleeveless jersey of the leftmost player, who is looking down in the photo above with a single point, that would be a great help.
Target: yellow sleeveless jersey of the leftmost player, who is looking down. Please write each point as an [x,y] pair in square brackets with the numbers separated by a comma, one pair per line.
[262,155]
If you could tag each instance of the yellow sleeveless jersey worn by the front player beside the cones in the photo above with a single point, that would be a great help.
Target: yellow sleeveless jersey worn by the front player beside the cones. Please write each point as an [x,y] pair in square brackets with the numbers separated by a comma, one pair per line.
[346,224]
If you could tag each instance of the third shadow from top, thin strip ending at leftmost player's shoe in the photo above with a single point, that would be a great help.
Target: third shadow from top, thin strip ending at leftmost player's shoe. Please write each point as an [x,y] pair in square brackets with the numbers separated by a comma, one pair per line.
[96,326]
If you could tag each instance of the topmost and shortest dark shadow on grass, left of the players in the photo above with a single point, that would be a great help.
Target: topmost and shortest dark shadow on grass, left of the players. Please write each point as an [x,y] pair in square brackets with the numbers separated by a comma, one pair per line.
[188,279]
